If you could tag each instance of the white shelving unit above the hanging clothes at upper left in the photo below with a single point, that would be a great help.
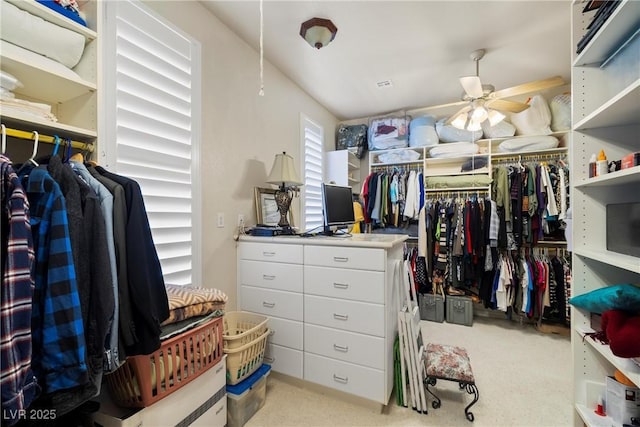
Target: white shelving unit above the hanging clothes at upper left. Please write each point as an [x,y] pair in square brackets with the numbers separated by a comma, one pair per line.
[73,96]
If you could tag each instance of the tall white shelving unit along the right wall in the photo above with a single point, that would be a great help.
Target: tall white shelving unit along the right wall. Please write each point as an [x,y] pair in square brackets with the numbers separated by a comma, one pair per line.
[606,115]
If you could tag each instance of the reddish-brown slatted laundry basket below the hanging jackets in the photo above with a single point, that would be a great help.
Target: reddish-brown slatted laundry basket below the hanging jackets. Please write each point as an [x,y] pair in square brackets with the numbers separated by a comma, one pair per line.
[145,379]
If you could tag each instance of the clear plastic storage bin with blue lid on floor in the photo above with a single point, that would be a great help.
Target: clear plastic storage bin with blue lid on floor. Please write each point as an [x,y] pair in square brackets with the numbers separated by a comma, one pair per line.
[247,397]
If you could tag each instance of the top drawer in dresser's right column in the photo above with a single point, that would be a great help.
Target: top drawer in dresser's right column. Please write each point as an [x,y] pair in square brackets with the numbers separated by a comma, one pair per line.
[353,258]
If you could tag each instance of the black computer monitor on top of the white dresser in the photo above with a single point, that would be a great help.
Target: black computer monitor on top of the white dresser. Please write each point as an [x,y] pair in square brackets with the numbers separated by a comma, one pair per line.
[337,207]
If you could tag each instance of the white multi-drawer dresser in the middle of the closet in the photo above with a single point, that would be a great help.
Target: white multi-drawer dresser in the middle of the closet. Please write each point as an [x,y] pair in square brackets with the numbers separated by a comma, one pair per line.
[332,305]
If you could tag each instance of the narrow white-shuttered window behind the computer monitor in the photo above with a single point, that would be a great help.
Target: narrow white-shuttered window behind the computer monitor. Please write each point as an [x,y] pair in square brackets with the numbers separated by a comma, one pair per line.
[312,142]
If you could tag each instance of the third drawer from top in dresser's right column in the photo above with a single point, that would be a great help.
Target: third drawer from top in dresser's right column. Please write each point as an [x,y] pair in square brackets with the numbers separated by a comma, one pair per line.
[352,316]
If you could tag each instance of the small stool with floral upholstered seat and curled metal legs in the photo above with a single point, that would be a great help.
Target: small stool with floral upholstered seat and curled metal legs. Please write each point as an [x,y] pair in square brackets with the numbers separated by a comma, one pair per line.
[451,363]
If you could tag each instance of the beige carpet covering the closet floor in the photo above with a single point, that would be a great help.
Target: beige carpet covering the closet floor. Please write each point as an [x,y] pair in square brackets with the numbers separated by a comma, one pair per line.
[524,378]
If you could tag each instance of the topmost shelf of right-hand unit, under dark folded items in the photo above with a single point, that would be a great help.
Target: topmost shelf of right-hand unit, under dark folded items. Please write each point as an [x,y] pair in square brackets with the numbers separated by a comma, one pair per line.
[610,35]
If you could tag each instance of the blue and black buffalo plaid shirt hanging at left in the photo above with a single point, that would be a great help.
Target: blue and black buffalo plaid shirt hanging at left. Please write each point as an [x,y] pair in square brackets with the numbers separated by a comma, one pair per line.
[57,328]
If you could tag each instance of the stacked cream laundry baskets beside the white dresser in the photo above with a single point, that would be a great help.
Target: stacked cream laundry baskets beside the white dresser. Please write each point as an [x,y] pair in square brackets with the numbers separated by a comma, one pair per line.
[245,341]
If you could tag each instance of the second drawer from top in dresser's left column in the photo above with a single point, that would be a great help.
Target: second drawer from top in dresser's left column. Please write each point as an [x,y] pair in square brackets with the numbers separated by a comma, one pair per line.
[271,275]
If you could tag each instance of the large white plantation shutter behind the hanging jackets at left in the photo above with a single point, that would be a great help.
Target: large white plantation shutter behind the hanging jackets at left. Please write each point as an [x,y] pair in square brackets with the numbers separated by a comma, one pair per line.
[155,103]
